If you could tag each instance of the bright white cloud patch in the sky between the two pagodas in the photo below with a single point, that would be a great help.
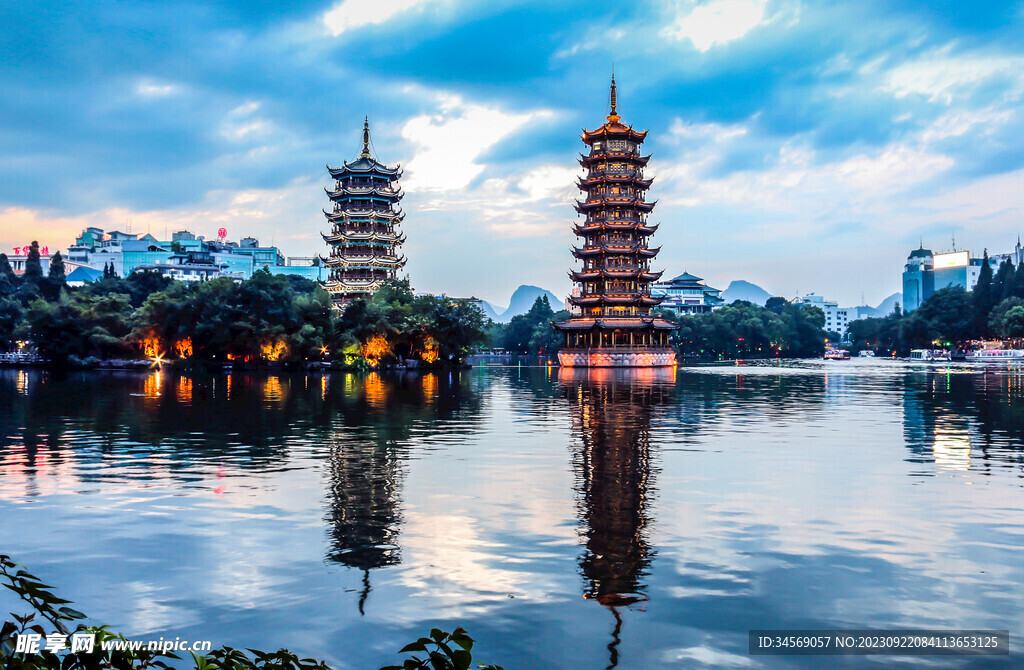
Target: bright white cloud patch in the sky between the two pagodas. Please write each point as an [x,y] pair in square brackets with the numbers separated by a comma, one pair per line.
[449,144]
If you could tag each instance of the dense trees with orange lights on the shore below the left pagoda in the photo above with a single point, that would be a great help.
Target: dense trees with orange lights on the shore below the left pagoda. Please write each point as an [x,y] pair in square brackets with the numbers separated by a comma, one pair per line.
[268,320]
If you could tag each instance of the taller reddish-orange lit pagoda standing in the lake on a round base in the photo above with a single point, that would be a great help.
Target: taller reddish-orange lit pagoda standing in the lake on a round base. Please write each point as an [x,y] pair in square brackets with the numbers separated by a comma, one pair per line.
[613,324]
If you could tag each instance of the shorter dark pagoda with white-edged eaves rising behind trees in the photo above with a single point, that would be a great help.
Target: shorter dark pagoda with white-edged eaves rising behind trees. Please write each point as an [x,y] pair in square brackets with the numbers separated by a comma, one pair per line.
[365,237]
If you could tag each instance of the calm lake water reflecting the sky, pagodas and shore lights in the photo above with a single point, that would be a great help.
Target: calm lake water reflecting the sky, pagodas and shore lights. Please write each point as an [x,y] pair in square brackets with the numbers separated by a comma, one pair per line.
[631,520]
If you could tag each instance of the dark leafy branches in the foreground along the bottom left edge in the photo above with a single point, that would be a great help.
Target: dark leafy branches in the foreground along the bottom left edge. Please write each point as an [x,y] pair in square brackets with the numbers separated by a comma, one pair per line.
[450,651]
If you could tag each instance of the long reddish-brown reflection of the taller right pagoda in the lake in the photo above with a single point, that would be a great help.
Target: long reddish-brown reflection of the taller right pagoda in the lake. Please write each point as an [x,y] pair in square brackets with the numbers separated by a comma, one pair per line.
[612,416]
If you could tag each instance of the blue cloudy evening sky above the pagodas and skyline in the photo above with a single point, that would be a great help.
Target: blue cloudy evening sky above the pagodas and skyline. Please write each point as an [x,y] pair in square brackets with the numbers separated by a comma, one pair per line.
[805,147]
